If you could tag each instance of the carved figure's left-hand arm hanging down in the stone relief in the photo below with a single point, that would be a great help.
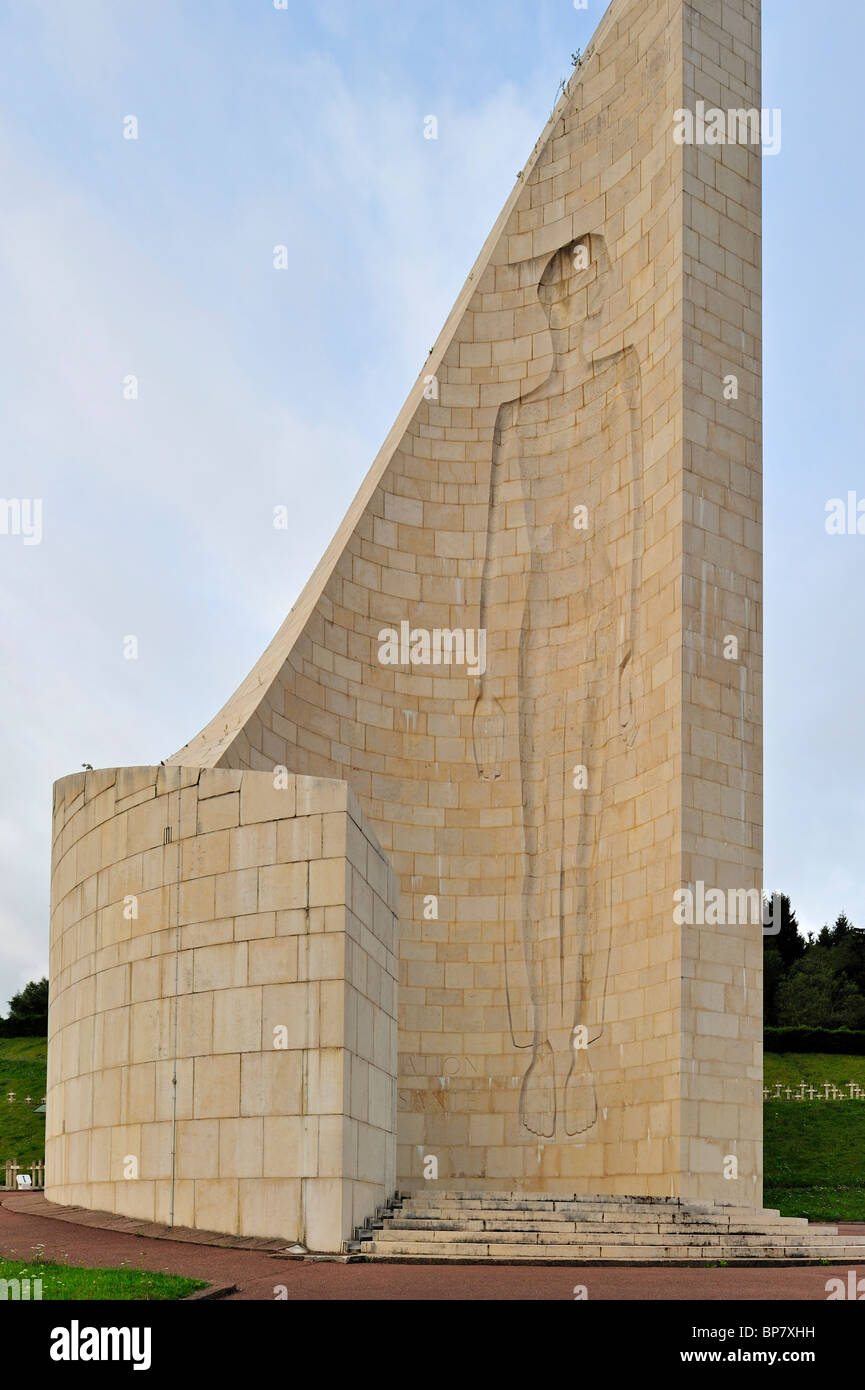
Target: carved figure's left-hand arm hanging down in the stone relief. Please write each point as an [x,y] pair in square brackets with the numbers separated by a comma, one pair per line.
[489,719]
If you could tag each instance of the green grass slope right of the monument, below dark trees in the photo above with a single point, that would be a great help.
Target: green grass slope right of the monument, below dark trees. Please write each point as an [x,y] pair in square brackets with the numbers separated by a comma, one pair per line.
[814,1152]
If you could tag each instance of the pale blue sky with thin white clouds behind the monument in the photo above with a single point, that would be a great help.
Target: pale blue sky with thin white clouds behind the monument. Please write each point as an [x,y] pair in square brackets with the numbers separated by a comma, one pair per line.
[154,259]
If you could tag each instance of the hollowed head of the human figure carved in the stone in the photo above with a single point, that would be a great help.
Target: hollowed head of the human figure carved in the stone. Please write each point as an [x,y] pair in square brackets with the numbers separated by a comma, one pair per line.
[575,291]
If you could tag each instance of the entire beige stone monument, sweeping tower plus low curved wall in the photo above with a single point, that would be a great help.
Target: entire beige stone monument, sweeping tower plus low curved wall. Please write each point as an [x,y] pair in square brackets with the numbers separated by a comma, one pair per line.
[407,914]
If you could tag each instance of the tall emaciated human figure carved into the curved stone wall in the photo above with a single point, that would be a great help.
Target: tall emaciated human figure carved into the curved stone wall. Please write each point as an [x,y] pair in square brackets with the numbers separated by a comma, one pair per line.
[564,551]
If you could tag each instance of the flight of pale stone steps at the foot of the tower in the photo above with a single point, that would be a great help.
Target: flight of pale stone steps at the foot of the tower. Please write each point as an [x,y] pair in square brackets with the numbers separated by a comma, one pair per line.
[531,1228]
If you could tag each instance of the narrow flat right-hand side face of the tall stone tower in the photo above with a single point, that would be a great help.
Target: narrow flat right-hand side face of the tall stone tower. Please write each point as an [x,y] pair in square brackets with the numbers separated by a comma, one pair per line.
[722,603]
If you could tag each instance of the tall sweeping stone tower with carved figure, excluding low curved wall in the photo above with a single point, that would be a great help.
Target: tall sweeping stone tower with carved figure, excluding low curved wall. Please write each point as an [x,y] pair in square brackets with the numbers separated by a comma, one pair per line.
[567,480]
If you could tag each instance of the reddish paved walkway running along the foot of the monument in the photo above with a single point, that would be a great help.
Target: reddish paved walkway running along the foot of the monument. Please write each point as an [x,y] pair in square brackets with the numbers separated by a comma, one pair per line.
[259,1275]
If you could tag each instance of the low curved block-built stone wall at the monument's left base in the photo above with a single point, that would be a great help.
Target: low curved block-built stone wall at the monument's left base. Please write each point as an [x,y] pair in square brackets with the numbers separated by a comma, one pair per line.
[222,1029]
